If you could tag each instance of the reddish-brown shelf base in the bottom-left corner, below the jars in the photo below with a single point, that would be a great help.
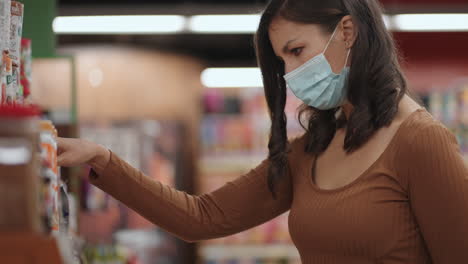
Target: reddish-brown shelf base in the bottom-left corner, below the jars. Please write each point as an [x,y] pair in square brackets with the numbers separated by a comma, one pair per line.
[29,249]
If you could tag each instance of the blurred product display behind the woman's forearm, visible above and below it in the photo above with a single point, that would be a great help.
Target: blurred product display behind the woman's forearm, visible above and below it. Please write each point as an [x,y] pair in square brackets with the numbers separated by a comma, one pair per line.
[153,147]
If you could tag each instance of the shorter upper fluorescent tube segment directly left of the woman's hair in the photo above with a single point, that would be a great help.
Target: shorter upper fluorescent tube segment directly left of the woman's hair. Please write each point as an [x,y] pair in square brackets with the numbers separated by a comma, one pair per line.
[228,24]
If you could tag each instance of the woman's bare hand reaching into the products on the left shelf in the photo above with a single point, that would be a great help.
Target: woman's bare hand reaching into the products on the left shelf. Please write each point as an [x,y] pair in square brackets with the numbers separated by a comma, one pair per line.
[75,152]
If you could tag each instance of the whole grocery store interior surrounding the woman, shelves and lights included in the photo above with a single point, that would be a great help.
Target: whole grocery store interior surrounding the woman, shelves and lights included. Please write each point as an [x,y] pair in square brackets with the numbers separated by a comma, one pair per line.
[147,92]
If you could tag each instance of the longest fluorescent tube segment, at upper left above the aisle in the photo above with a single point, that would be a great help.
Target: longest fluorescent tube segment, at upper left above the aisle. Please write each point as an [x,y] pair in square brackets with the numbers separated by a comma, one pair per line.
[119,24]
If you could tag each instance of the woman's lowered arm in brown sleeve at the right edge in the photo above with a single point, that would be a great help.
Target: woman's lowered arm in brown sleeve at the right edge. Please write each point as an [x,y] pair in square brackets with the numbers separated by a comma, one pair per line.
[438,192]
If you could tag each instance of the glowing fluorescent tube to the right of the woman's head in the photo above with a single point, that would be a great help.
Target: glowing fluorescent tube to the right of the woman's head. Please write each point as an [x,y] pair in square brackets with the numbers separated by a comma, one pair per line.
[430,22]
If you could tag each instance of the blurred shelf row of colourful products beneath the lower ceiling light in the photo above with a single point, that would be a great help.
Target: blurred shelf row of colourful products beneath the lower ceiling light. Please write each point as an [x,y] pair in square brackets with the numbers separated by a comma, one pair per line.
[237,121]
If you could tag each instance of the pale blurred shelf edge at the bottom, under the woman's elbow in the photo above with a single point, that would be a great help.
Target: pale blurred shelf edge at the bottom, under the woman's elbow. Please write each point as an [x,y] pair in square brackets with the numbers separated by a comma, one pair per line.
[215,252]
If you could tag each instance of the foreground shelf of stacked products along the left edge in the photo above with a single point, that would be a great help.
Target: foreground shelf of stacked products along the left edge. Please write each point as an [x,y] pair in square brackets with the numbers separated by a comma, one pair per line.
[39,216]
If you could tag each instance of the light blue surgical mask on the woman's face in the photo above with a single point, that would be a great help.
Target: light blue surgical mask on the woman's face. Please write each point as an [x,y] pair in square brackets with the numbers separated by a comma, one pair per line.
[317,85]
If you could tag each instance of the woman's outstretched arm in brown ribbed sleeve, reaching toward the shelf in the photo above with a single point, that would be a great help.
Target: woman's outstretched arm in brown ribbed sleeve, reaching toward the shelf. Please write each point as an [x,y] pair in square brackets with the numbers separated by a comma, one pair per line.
[237,206]
